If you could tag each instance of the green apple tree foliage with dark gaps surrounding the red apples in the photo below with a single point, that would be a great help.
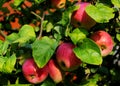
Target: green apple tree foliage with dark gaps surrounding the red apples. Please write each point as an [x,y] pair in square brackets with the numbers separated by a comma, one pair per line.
[41,41]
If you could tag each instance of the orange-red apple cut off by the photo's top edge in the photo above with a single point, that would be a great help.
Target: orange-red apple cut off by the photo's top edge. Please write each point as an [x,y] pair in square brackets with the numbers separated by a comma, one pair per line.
[58,3]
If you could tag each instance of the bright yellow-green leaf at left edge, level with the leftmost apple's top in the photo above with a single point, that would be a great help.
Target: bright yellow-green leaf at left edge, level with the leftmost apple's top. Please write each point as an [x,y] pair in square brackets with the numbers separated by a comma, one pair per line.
[8,64]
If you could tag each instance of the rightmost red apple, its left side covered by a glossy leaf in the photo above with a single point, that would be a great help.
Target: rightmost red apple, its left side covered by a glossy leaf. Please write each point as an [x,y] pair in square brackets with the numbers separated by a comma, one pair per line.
[104,41]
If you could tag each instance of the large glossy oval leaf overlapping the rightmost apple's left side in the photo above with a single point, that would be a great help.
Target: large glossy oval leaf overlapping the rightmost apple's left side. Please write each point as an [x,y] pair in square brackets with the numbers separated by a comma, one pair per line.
[88,52]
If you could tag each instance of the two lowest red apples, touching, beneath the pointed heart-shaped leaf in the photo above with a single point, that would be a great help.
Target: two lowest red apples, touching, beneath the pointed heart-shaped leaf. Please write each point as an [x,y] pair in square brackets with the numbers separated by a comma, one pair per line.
[37,75]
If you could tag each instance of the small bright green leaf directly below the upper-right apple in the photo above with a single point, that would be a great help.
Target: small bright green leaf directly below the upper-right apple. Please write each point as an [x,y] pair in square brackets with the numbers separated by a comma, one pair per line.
[77,35]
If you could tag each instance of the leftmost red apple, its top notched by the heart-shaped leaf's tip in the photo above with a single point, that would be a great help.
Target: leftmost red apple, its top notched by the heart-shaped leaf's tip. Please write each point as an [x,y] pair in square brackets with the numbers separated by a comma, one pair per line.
[32,73]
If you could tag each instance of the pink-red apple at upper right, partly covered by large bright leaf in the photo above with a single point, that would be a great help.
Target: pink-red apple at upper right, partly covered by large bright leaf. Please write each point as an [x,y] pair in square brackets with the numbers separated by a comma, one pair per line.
[80,18]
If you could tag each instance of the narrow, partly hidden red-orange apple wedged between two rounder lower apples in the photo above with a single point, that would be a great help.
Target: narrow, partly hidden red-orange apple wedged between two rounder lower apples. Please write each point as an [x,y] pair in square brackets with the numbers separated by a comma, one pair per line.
[54,71]
